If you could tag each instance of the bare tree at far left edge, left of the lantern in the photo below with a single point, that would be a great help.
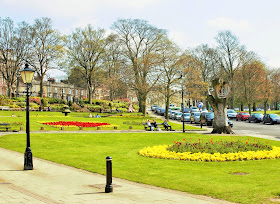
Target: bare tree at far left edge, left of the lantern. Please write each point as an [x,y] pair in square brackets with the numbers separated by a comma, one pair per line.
[14,43]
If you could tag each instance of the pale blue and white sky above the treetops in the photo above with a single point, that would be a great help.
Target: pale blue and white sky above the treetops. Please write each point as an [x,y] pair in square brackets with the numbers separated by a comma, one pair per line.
[189,22]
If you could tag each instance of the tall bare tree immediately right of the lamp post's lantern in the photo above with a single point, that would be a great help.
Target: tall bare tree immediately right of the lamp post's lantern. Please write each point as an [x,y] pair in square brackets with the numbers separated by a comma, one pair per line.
[47,48]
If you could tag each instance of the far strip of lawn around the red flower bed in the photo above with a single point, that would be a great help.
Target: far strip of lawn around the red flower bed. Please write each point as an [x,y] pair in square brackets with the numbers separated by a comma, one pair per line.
[121,122]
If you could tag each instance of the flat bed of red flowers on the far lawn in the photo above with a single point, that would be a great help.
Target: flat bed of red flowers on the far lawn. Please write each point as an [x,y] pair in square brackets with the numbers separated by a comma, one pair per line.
[75,124]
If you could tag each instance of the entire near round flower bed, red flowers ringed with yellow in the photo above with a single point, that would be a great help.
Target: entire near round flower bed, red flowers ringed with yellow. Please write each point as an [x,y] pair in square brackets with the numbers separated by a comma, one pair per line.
[165,152]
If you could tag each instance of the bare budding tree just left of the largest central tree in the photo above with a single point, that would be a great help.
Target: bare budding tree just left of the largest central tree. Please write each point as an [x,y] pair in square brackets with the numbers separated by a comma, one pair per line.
[85,49]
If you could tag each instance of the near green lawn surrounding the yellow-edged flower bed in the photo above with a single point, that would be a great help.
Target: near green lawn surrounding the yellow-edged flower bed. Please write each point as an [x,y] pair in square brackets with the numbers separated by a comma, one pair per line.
[216,179]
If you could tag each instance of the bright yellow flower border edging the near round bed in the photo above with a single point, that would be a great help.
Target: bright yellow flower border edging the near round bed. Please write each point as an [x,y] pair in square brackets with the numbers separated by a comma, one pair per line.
[162,153]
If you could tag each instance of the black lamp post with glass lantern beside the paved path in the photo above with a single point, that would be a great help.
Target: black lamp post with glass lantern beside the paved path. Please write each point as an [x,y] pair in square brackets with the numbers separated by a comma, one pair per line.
[27,75]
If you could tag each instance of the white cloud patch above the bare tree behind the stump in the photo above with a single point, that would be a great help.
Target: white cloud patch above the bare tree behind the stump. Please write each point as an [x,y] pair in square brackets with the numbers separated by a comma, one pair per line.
[227,23]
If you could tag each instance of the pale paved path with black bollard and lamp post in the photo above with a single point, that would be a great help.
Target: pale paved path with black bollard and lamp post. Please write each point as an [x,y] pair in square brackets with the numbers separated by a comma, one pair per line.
[50,182]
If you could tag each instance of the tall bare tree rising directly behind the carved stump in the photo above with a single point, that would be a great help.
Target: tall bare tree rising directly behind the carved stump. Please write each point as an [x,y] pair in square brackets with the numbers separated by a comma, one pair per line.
[230,49]
